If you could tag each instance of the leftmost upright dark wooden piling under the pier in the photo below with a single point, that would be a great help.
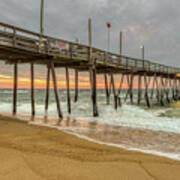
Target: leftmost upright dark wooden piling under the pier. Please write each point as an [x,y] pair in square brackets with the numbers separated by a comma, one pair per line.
[15,88]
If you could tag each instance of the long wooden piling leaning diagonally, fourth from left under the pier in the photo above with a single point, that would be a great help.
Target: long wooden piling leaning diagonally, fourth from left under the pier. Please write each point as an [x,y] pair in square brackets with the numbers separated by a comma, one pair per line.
[56,91]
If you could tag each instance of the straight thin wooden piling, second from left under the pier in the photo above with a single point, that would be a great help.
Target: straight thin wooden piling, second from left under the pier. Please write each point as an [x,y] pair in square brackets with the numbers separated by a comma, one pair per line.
[32,91]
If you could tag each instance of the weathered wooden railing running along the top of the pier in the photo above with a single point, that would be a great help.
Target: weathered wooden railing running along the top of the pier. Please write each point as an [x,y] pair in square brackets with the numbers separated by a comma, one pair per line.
[12,36]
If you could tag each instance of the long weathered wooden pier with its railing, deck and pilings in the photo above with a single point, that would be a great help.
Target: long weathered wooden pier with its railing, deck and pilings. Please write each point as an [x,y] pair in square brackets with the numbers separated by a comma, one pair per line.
[18,46]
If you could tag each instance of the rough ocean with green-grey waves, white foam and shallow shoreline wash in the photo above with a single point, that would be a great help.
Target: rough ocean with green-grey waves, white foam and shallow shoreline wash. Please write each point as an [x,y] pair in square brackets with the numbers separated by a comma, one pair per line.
[153,130]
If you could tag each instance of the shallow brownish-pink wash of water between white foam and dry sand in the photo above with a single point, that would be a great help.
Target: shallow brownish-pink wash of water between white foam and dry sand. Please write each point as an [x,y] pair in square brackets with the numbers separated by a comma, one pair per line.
[144,139]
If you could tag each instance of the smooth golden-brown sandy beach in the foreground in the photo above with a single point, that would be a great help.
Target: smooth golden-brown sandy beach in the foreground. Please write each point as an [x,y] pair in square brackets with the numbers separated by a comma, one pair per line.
[30,152]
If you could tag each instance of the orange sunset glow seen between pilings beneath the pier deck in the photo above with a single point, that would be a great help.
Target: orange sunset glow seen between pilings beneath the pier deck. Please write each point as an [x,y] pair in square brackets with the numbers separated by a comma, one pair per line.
[6,81]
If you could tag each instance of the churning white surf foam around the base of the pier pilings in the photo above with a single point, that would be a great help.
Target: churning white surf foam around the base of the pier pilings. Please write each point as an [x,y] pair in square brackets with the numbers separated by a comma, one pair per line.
[127,115]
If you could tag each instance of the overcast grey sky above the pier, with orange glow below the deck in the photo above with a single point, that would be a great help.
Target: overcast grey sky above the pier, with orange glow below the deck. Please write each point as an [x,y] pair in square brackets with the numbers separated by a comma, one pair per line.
[152,23]
